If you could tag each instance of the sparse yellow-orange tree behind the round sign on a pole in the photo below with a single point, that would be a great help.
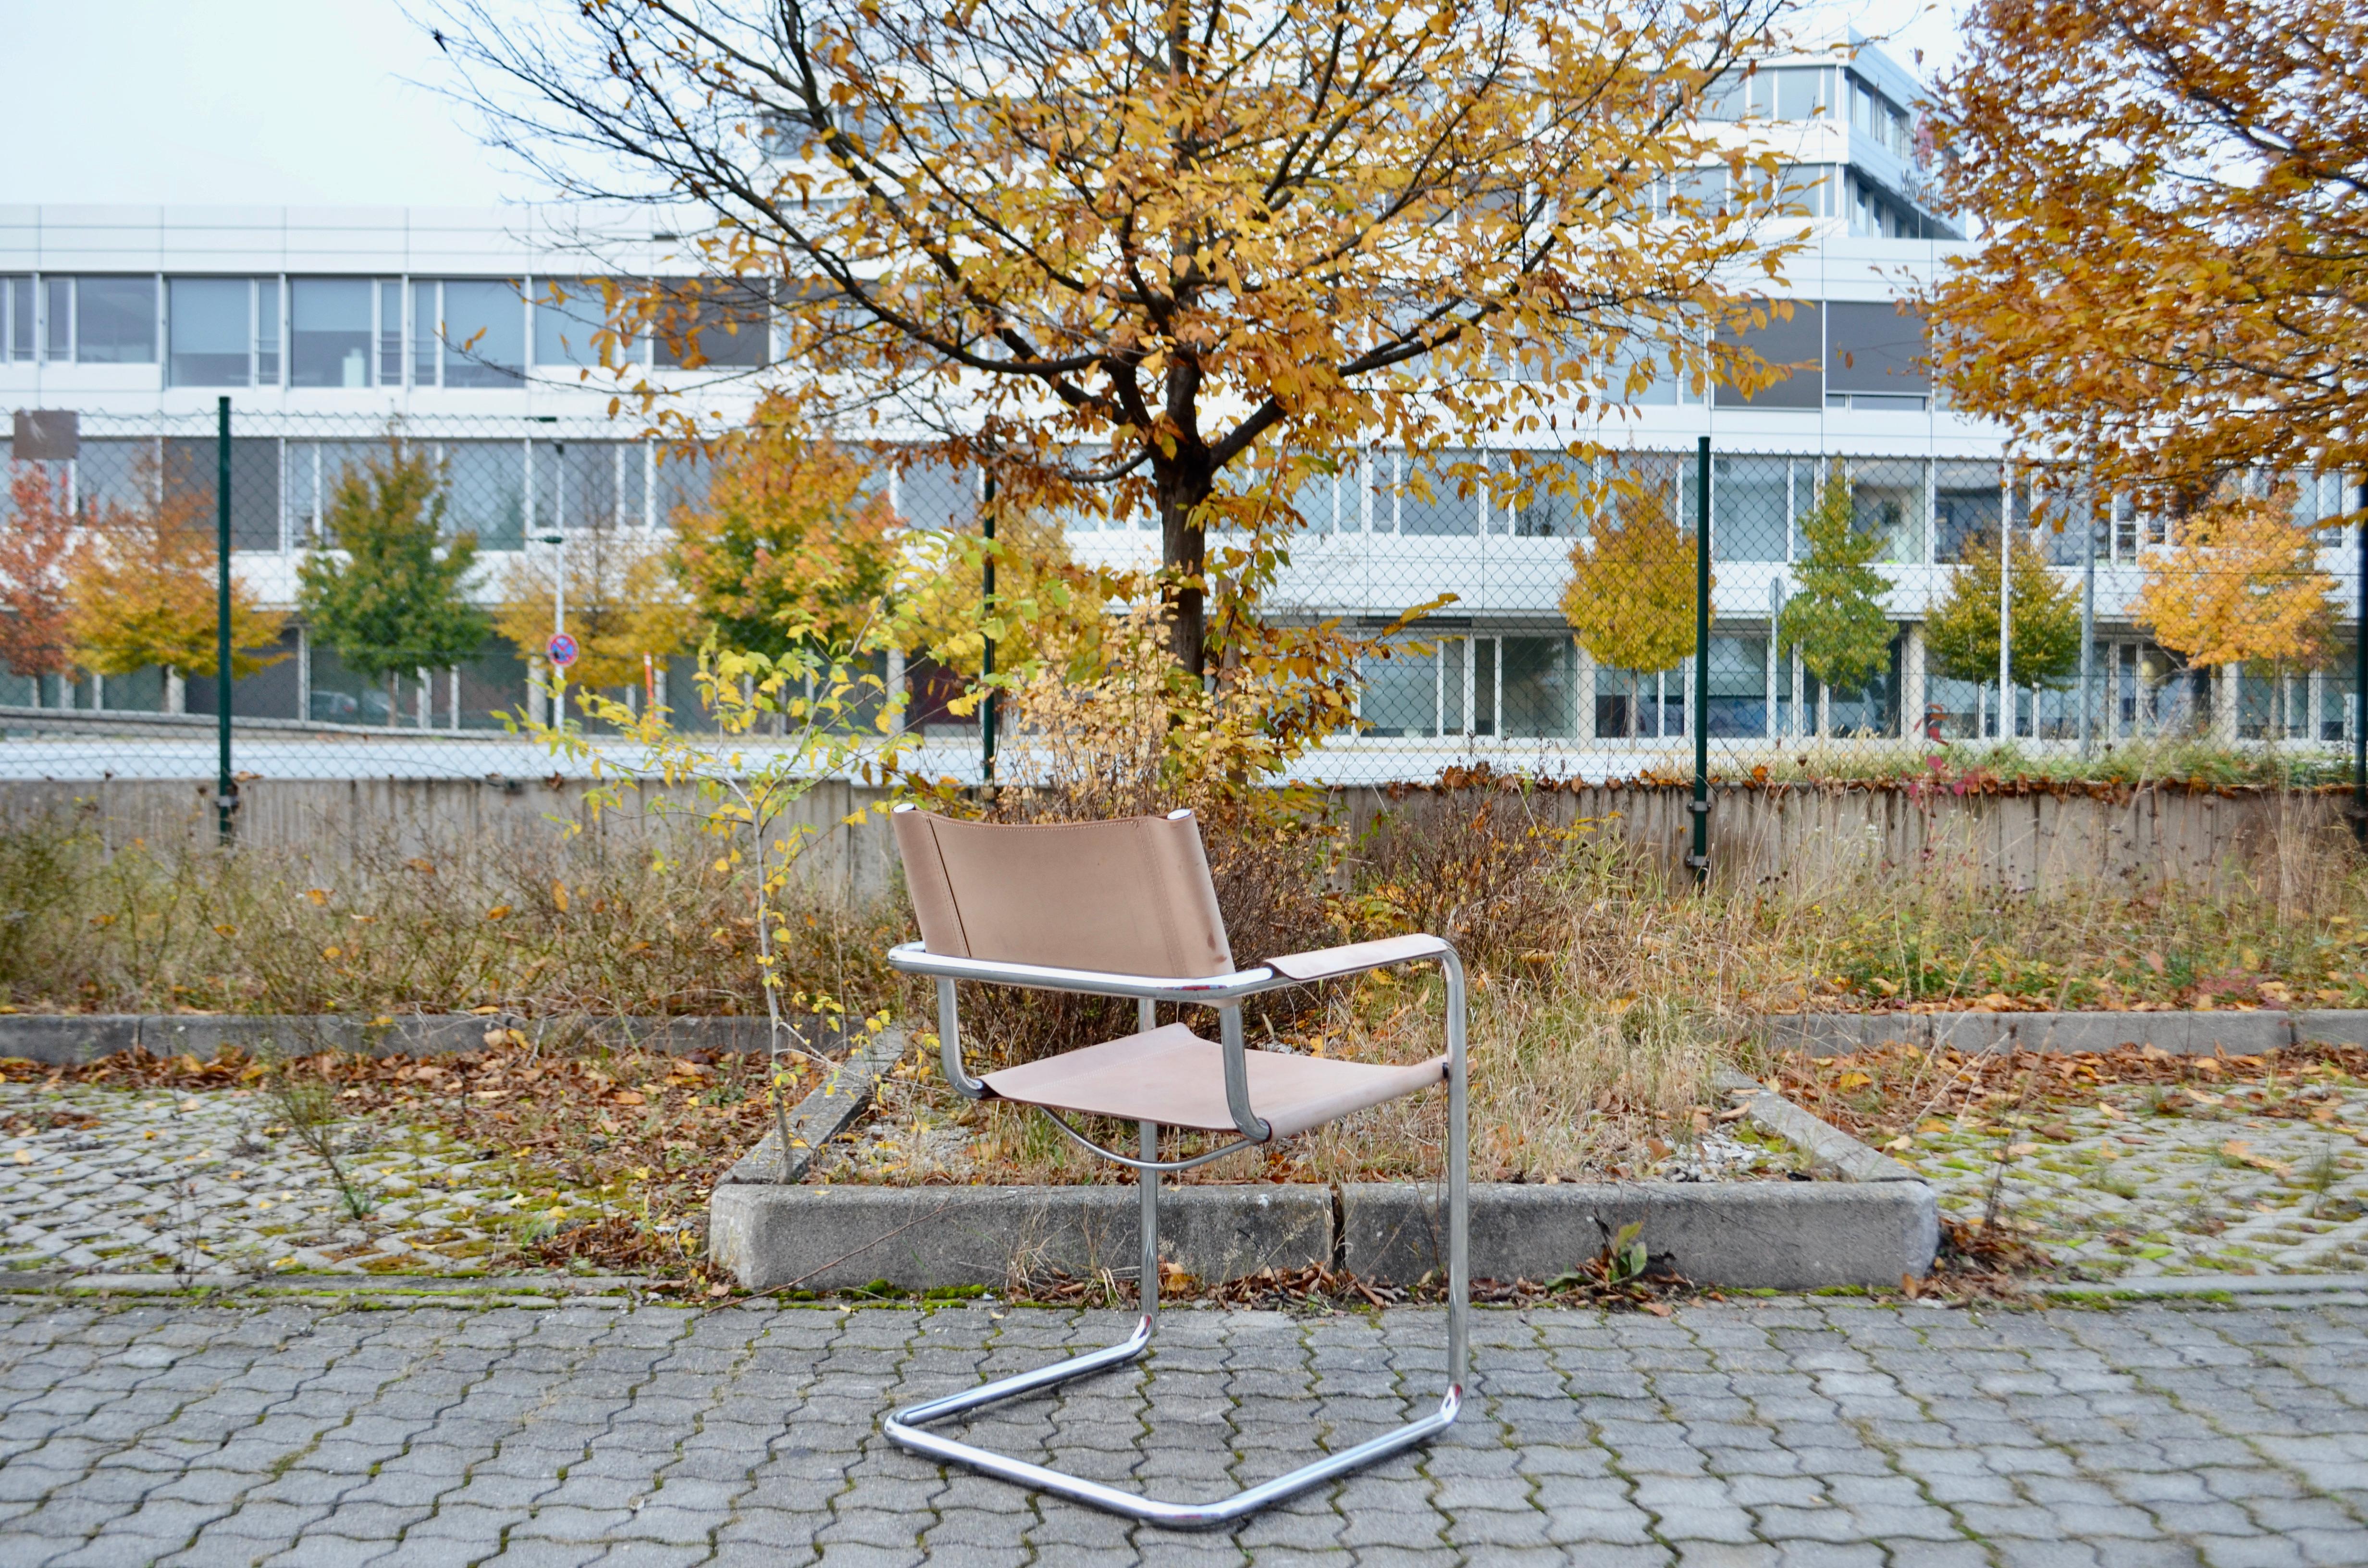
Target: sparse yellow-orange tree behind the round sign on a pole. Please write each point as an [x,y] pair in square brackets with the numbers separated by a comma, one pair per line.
[622,603]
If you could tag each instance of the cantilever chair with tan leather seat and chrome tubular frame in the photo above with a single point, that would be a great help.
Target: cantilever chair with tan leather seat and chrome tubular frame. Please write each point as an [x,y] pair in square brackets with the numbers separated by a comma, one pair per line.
[1128,911]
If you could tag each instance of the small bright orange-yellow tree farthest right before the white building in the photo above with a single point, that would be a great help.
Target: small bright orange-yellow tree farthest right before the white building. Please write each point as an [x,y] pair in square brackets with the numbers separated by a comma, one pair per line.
[2241,586]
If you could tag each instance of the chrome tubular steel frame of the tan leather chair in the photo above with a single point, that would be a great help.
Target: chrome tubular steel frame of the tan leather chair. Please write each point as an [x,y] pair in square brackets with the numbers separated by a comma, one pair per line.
[910,1427]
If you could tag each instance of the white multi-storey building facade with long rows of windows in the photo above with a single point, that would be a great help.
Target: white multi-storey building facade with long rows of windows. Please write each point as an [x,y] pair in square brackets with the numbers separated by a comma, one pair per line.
[472,330]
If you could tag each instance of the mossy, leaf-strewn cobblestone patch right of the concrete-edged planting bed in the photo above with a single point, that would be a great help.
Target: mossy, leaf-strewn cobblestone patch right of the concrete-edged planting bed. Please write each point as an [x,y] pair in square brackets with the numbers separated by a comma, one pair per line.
[2173,1181]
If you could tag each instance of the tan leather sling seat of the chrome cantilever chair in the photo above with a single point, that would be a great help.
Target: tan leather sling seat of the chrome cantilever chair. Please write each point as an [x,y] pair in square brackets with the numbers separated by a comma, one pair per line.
[1176,1079]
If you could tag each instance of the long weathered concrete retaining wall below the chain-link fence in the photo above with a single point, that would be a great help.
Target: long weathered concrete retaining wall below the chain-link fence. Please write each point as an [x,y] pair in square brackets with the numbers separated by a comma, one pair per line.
[1787,835]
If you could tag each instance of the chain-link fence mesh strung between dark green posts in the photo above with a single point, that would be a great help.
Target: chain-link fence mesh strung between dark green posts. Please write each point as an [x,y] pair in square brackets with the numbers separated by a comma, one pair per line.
[1846,619]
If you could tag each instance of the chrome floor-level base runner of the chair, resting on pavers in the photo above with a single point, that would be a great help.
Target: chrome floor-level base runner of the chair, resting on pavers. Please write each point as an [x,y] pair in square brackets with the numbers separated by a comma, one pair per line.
[906,1432]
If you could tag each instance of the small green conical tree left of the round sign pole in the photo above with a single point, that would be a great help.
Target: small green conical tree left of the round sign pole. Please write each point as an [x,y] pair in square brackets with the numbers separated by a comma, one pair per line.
[392,596]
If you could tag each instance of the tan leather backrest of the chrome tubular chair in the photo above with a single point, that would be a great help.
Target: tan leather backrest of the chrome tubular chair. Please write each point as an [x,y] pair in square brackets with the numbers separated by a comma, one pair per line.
[1128,897]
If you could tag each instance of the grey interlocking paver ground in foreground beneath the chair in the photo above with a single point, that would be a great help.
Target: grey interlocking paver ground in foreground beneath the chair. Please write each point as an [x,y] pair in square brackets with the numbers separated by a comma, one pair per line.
[1780,1432]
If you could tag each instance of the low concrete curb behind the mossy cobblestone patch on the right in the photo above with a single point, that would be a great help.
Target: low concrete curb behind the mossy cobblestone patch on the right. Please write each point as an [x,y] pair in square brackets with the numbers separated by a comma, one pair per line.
[2184,1034]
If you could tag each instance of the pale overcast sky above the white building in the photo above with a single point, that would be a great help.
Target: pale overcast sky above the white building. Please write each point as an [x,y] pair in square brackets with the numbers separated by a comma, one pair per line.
[318,103]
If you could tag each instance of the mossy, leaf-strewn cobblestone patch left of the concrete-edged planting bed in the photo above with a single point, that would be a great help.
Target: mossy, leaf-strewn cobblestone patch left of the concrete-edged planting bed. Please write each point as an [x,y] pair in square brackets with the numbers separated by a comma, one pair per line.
[141,1181]
